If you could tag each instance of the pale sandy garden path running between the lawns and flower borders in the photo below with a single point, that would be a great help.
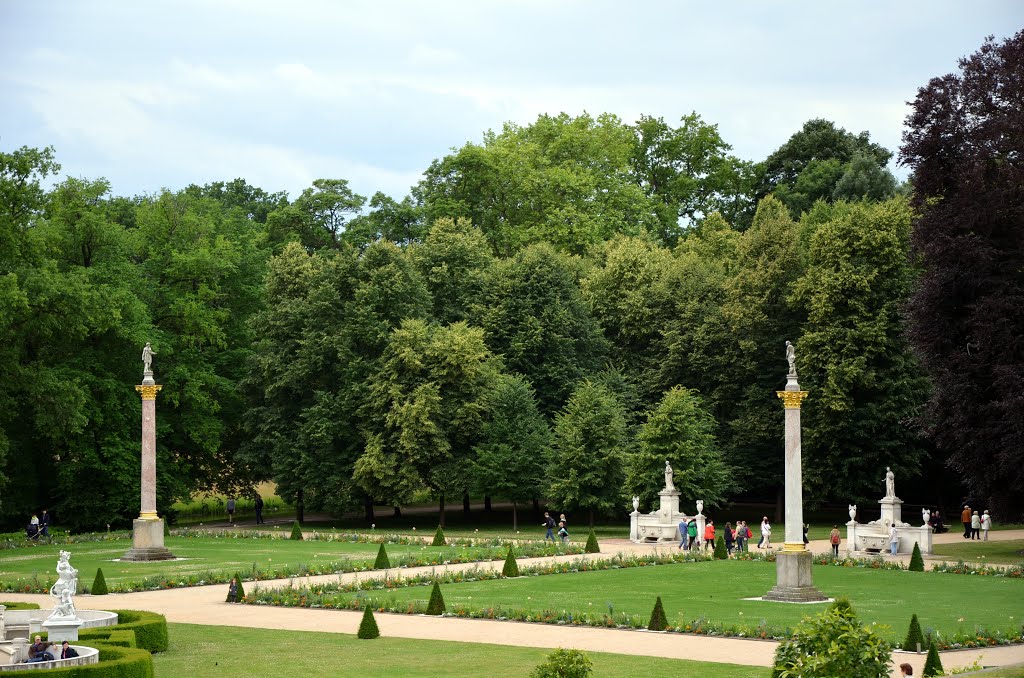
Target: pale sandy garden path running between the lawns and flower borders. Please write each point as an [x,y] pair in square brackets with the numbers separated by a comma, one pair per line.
[206,606]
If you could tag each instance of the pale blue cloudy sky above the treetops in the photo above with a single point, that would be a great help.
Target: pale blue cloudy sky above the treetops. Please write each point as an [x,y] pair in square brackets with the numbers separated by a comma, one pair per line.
[155,96]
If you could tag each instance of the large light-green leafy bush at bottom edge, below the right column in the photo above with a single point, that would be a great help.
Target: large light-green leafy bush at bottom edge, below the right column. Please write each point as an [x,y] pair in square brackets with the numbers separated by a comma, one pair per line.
[833,644]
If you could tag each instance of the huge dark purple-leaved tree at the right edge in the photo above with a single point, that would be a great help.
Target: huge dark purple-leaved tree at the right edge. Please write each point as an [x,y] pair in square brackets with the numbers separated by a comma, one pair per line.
[964,143]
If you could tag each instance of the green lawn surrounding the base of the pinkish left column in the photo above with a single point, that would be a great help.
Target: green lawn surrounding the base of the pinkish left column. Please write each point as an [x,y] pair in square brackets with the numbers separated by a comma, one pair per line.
[204,555]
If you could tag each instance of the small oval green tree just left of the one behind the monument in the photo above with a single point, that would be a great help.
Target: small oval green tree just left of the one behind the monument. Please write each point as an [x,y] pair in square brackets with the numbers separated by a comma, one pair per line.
[585,472]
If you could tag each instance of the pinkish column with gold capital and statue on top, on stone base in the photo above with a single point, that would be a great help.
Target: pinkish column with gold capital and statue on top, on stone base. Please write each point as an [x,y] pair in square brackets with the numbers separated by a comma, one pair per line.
[148,529]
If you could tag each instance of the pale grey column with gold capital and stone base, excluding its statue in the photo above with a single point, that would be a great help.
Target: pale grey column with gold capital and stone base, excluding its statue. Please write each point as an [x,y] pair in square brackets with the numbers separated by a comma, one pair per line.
[794,582]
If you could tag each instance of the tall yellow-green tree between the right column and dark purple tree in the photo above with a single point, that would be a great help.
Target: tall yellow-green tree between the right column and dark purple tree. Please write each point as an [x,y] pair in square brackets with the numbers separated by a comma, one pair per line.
[854,355]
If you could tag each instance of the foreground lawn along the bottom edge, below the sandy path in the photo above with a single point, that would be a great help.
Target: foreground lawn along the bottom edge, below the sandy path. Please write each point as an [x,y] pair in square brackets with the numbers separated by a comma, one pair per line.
[216,651]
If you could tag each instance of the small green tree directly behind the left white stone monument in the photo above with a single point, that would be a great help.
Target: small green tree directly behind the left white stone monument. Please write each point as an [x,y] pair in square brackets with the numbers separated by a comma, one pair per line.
[682,433]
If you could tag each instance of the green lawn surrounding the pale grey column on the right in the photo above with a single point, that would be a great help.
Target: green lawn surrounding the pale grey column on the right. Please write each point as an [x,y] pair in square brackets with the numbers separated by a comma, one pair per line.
[716,591]
